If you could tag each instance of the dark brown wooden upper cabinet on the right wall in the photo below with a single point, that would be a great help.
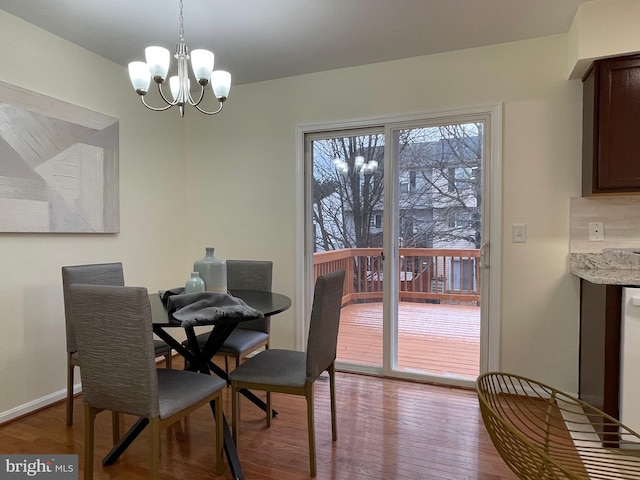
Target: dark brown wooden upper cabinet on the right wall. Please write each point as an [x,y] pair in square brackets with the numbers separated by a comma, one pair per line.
[611,126]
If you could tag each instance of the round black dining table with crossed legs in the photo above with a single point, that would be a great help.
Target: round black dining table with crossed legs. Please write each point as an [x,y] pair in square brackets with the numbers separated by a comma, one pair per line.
[200,359]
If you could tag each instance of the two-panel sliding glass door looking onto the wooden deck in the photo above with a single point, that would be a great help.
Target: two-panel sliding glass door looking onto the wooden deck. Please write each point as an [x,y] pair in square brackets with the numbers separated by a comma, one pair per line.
[400,207]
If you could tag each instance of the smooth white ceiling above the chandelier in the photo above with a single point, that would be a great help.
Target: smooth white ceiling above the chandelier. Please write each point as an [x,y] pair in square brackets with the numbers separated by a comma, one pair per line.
[260,40]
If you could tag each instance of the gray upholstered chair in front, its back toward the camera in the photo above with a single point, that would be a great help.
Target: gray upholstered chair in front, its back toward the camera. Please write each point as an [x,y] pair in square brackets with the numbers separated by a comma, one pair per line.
[113,331]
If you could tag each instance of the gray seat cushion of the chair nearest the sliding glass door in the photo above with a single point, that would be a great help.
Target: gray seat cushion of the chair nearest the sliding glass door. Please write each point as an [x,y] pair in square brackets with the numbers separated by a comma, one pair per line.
[274,367]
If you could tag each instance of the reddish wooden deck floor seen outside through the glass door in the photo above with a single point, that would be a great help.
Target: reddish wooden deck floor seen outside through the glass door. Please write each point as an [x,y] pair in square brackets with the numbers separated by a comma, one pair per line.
[432,338]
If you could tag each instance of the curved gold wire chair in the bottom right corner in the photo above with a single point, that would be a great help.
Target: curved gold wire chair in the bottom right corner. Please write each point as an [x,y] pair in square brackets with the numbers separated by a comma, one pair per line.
[542,433]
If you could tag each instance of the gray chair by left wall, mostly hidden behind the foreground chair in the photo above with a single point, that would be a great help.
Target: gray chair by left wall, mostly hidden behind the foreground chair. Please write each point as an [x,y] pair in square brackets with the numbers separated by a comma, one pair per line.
[92,274]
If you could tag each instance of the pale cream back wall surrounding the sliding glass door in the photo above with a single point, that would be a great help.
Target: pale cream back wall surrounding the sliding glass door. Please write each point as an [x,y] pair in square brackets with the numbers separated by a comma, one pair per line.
[243,168]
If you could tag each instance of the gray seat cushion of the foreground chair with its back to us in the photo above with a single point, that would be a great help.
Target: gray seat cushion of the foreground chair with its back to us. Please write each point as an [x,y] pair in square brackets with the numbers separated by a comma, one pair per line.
[179,389]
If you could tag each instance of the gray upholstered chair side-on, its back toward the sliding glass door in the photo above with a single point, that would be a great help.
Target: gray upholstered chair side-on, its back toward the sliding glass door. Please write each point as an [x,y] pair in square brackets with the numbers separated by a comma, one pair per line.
[293,372]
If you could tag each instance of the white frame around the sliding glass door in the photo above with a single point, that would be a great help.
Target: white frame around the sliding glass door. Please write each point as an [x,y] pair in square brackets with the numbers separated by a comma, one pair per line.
[490,283]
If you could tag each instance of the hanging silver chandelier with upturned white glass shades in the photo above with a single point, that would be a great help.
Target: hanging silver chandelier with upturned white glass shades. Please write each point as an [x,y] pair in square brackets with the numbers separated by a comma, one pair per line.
[157,67]
